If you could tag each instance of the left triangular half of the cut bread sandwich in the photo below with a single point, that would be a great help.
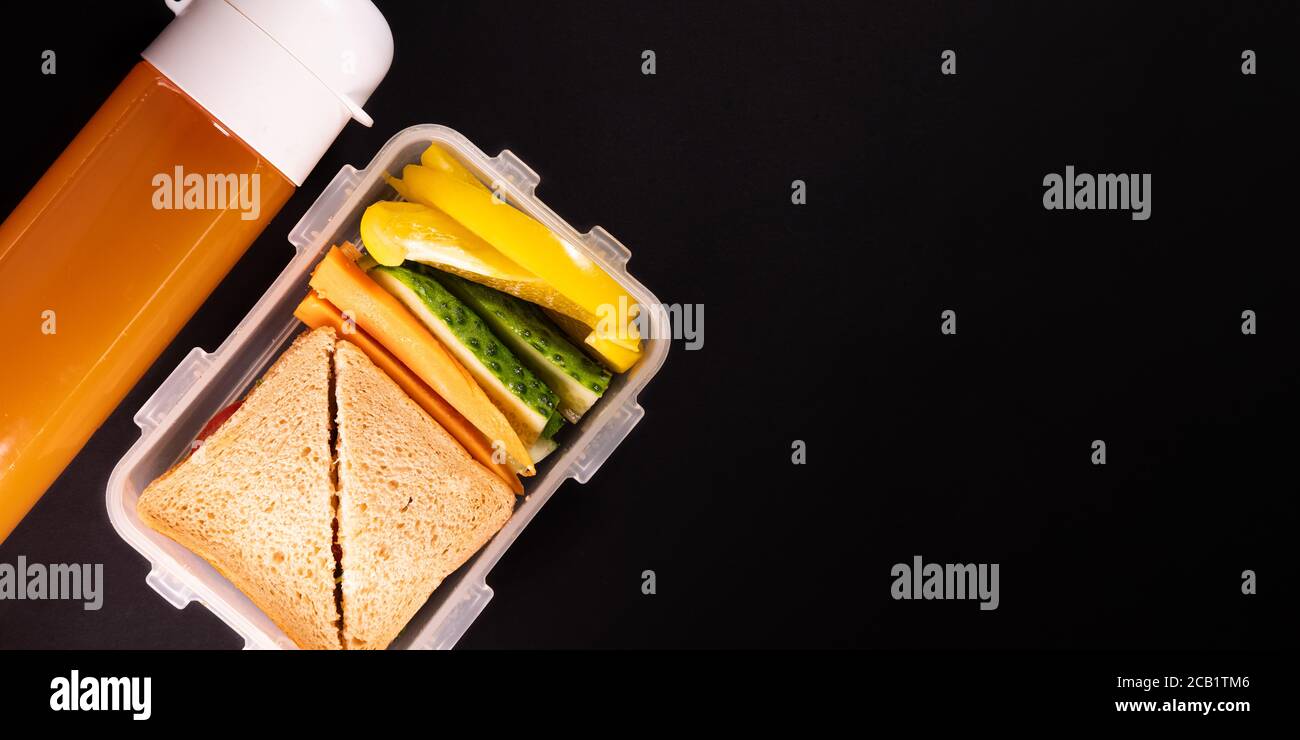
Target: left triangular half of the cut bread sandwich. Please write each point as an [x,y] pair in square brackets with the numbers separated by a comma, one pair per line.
[255,500]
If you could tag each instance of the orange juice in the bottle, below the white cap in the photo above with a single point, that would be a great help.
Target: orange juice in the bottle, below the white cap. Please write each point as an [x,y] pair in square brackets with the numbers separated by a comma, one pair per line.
[102,265]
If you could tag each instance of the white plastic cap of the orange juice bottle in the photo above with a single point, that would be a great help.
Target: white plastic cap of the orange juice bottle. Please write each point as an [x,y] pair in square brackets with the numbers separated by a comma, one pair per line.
[284,76]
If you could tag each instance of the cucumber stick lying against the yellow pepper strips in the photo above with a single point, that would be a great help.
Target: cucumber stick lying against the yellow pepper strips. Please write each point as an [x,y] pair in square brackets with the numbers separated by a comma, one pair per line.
[539,343]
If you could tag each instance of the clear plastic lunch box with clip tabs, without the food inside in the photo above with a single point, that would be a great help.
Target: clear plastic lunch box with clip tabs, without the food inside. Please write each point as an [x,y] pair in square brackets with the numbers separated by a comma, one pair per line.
[205,383]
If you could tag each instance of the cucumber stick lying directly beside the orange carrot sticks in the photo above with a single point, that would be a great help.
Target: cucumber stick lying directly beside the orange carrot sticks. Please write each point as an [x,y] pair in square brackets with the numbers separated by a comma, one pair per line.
[528,404]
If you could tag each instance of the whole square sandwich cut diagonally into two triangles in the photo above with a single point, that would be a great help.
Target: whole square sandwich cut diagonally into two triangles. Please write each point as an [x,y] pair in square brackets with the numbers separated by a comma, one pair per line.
[331,500]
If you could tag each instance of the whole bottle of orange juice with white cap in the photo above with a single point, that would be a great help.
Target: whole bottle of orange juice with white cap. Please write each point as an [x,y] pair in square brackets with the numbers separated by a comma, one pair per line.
[155,201]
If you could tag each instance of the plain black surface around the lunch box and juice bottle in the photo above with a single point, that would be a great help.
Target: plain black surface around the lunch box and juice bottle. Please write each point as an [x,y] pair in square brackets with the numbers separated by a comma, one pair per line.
[822,321]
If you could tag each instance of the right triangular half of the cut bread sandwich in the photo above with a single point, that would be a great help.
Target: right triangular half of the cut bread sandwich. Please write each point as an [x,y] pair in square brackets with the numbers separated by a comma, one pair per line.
[414,507]
